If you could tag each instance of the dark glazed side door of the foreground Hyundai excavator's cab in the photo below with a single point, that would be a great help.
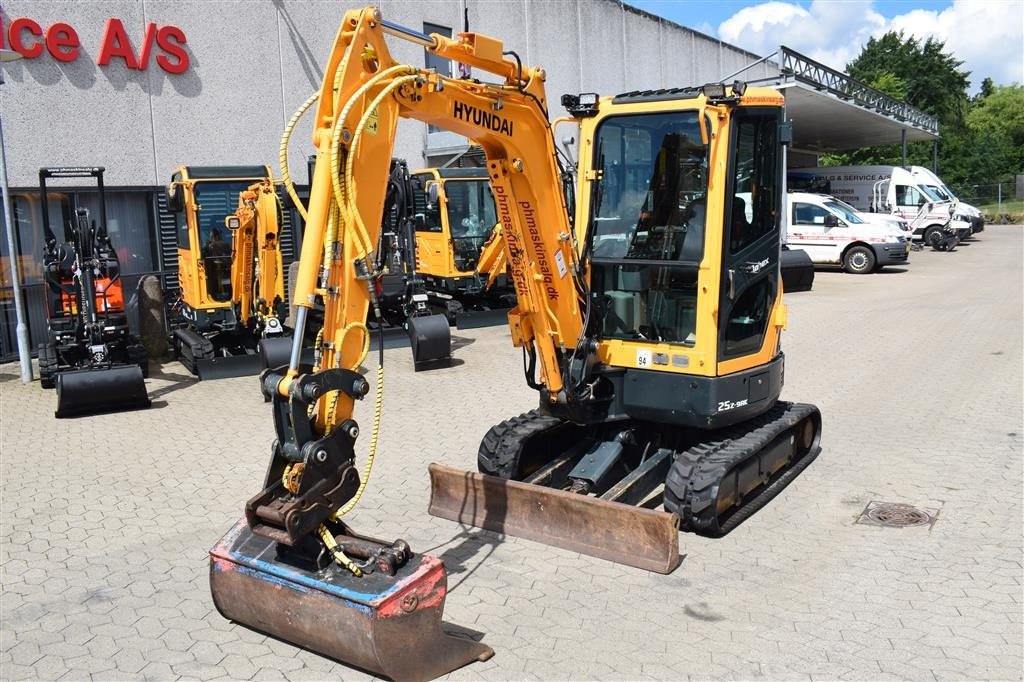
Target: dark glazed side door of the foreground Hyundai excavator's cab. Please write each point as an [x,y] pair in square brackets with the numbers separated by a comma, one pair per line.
[752,224]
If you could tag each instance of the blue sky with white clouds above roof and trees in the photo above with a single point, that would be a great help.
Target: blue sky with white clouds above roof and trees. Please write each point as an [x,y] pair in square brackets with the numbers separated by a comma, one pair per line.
[987,35]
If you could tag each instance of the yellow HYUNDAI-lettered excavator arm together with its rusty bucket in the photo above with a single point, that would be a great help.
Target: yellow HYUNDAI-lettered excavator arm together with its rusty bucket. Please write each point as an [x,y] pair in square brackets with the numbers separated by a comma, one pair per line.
[292,565]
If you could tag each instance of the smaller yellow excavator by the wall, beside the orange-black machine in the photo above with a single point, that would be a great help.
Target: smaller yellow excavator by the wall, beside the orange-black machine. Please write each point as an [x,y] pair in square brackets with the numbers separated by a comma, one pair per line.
[231,305]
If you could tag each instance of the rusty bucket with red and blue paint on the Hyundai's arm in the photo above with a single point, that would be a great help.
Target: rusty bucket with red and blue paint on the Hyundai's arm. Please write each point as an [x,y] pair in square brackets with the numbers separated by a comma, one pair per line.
[391,626]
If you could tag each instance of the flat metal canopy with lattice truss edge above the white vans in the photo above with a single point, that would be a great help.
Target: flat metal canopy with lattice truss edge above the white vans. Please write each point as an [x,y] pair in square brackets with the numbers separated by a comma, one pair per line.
[832,112]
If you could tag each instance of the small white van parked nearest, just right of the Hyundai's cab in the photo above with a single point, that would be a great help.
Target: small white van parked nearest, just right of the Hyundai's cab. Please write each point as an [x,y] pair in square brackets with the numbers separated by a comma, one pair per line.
[833,234]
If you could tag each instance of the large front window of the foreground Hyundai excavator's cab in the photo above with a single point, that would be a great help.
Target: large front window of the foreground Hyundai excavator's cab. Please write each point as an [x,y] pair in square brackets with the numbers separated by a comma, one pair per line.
[648,226]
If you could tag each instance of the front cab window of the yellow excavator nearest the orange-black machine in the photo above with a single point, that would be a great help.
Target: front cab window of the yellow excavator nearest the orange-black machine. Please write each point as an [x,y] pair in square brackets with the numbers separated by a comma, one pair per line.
[215,202]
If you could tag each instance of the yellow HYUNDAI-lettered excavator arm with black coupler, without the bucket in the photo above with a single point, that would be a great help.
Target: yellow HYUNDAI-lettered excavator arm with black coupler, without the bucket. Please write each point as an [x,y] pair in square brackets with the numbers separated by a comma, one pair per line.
[365,95]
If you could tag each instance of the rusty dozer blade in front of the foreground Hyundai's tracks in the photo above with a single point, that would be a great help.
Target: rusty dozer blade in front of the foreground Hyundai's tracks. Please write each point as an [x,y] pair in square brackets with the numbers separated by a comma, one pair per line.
[620,533]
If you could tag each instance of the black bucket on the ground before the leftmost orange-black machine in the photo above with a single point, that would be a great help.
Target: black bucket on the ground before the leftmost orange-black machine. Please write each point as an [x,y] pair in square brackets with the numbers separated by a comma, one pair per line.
[92,392]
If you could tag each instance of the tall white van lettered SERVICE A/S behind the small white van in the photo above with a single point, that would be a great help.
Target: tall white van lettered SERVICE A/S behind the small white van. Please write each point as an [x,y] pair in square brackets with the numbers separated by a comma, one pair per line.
[887,190]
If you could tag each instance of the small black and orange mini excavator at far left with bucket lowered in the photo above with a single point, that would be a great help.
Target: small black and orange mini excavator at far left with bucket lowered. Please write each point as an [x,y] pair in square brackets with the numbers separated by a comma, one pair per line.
[91,356]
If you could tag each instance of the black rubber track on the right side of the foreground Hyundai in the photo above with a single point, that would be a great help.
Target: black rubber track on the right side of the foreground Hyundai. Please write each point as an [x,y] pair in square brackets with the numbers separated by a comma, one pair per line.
[693,483]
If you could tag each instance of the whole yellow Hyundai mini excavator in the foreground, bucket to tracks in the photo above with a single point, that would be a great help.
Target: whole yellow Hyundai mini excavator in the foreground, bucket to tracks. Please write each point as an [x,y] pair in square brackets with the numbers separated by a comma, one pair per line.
[651,329]
